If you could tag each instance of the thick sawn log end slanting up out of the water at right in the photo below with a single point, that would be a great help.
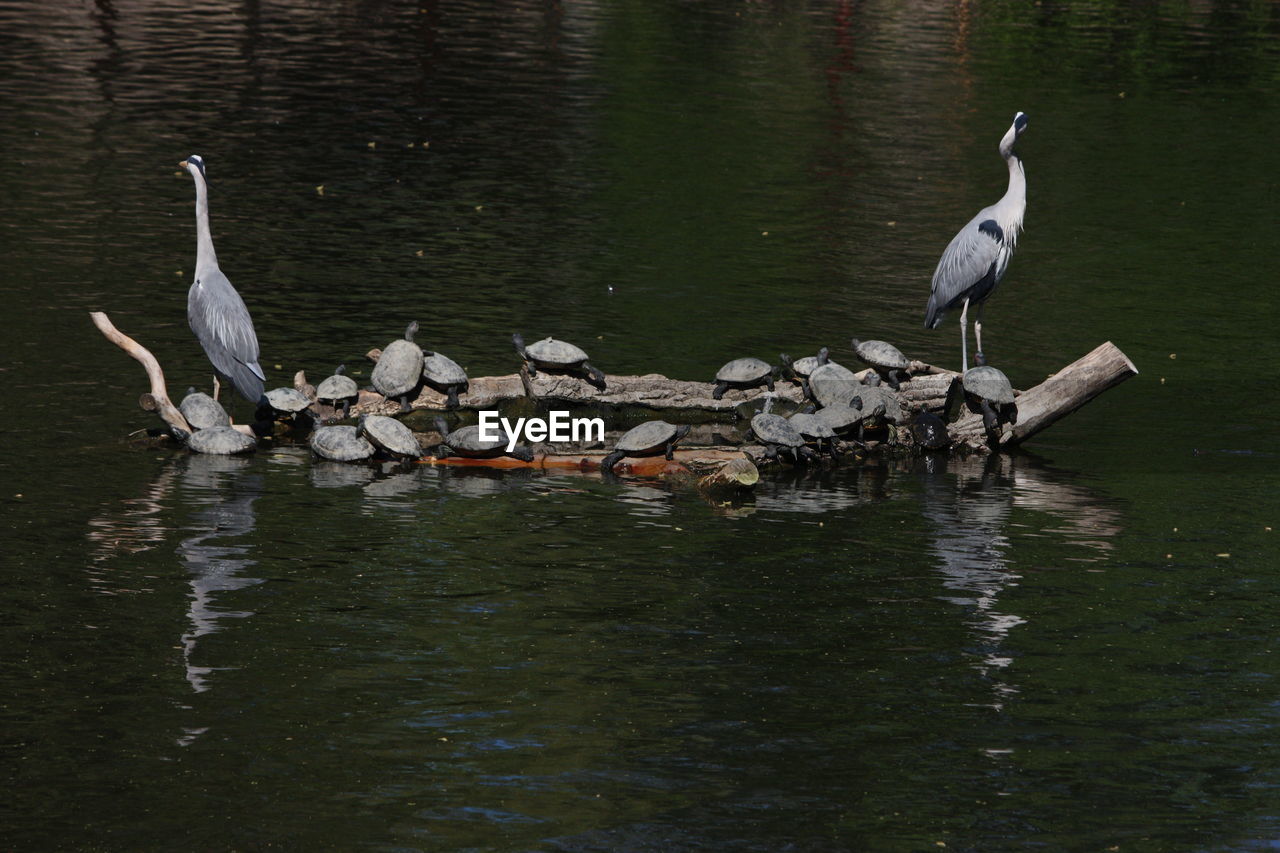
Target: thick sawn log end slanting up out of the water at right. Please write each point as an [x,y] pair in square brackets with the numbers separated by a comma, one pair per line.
[1057,398]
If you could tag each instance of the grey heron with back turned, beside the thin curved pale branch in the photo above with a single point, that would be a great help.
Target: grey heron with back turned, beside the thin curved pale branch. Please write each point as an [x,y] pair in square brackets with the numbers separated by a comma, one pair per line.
[214,309]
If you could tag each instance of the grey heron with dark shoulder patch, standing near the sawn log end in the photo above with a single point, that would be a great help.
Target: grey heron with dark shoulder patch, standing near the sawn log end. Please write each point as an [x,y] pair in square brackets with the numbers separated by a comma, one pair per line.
[977,258]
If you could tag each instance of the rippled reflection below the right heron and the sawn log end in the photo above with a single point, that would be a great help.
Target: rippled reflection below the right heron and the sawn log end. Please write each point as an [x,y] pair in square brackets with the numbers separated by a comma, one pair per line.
[970,504]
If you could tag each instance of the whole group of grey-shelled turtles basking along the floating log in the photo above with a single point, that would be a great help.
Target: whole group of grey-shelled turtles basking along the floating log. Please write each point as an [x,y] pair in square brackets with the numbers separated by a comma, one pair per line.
[840,405]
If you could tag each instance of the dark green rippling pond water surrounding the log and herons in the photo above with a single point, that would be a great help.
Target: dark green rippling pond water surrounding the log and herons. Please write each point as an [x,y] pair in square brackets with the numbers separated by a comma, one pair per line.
[1072,649]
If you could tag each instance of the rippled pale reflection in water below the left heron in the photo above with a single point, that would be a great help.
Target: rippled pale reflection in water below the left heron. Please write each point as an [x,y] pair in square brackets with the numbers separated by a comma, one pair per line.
[213,555]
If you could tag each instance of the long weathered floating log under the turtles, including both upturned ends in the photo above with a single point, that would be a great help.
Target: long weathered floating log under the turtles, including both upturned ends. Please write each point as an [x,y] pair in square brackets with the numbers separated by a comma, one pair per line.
[719,422]
